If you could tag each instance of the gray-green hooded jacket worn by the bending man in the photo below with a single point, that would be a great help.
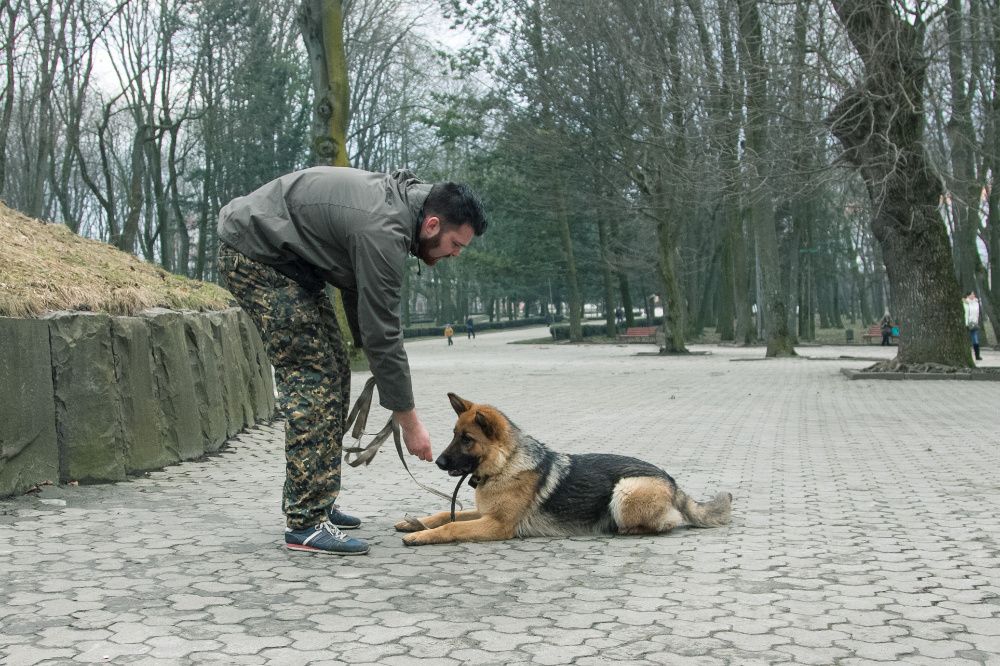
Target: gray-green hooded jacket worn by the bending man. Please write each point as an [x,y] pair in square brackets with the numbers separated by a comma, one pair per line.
[350,228]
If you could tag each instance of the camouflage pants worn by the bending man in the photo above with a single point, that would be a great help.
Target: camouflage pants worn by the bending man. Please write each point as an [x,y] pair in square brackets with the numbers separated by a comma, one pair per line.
[313,376]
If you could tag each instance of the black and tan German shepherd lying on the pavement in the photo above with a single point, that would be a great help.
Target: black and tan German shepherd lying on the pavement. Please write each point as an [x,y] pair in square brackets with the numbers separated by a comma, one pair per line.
[523,489]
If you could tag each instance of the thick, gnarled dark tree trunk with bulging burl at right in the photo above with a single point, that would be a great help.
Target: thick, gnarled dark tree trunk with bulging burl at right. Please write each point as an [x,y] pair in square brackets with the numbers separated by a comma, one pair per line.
[880,125]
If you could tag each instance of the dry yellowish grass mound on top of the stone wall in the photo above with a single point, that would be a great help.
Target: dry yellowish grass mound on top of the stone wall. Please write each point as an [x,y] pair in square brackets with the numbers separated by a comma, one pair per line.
[46,267]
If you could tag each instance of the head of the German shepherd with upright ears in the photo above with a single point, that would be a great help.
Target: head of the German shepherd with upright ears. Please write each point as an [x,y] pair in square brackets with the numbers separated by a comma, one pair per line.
[481,443]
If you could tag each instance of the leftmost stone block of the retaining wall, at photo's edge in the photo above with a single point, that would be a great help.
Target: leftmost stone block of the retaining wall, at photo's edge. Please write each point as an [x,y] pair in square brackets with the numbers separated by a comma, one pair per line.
[28,450]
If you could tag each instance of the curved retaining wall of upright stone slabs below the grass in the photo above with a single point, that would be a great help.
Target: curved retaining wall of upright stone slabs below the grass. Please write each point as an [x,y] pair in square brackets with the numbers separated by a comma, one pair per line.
[92,398]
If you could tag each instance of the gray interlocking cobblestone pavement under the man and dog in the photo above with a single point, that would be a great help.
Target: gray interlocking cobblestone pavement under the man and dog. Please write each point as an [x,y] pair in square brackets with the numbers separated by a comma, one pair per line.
[865,530]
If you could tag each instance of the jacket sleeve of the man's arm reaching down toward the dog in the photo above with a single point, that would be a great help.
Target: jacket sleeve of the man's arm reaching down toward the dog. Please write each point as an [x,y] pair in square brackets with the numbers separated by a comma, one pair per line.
[378,266]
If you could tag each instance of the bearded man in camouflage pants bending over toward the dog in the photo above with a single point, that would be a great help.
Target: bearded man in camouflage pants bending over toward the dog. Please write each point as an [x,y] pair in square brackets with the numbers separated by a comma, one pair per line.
[353,229]
